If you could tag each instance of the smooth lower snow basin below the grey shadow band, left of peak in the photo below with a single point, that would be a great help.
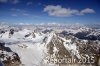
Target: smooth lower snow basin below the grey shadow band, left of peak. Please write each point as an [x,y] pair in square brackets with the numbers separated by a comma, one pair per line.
[30,54]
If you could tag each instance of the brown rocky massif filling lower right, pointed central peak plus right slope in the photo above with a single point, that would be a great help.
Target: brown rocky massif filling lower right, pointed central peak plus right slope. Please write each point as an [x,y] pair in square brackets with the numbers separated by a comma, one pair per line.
[88,52]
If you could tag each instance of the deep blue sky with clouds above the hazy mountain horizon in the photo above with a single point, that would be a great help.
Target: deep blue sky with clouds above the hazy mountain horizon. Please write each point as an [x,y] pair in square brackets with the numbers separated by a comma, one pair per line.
[50,11]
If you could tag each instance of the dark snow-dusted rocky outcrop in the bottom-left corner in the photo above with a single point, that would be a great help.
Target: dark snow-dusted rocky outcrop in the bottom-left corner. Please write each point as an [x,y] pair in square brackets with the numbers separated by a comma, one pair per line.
[8,57]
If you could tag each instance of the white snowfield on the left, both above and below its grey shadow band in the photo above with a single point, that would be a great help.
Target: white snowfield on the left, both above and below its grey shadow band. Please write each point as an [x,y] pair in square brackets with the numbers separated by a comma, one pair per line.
[30,50]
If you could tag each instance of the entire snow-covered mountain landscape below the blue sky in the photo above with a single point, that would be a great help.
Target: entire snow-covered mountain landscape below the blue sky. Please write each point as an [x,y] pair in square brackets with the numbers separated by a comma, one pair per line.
[46,47]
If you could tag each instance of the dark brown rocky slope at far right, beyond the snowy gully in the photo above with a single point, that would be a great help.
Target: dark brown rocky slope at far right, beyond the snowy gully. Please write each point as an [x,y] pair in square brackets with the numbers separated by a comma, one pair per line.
[90,49]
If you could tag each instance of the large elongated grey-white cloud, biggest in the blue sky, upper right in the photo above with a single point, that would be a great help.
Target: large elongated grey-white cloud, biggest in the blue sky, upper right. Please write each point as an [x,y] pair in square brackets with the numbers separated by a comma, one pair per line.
[59,11]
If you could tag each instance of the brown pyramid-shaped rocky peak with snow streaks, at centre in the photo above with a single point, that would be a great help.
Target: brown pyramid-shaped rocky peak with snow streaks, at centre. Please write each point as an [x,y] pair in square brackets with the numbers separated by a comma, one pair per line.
[56,51]
